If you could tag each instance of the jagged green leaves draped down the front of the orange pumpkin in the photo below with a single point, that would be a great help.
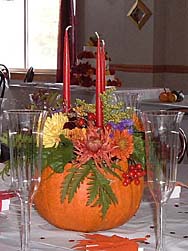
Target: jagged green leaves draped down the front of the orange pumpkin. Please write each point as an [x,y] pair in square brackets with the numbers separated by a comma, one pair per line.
[100,192]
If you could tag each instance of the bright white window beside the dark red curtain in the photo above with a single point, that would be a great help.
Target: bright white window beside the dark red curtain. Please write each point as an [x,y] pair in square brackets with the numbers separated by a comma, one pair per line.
[29,31]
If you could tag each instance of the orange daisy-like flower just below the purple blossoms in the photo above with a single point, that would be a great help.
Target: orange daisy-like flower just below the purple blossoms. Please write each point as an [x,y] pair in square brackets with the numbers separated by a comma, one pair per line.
[123,142]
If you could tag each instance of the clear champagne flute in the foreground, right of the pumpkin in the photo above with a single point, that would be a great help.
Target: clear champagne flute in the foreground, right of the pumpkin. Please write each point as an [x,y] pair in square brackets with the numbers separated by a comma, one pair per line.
[162,149]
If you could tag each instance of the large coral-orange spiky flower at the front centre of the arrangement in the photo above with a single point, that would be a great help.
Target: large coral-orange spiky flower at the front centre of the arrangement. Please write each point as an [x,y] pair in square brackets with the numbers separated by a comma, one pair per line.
[94,144]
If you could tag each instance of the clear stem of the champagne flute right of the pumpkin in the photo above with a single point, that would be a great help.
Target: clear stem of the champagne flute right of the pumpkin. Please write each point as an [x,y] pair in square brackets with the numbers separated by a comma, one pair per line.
[160,227]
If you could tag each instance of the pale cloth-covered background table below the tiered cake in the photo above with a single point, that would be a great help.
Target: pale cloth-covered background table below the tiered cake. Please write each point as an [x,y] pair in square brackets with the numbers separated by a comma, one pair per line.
[19,89]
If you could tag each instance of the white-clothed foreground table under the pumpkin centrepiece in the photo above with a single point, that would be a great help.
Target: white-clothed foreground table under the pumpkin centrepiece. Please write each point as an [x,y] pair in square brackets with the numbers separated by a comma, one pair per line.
[46,237]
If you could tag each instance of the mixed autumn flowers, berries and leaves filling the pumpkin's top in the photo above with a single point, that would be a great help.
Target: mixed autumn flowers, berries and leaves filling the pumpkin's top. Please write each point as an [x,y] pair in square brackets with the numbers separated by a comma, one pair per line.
[74,137]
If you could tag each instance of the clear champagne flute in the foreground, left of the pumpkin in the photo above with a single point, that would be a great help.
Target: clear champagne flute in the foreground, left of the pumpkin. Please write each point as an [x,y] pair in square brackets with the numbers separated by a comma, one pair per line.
[25,129]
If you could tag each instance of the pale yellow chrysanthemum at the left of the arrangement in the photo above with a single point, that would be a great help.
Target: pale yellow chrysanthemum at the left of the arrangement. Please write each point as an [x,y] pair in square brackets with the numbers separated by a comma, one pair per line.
[53,128]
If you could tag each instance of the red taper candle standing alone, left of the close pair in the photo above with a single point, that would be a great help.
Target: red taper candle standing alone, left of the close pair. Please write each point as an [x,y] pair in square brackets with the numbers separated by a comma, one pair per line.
[66,71]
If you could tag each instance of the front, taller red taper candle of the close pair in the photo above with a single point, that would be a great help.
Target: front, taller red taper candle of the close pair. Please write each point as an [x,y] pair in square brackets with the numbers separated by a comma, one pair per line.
[99,111]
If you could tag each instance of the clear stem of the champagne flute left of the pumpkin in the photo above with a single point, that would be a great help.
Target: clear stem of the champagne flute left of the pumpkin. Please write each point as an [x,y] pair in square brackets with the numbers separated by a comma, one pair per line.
[25,225]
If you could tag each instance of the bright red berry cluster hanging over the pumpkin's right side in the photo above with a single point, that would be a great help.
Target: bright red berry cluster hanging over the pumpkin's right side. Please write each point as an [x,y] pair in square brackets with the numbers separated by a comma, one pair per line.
[133,173]
